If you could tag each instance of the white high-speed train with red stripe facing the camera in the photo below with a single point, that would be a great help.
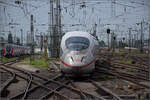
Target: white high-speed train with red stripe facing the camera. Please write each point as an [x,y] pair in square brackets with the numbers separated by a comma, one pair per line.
[78,53]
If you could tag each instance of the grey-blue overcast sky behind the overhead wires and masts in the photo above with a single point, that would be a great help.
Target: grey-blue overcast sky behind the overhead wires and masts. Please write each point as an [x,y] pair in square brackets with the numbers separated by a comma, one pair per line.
[125,14]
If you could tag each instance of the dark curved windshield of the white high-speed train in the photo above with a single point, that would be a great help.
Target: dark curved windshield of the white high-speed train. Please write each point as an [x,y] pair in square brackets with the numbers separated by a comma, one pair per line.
[77,43]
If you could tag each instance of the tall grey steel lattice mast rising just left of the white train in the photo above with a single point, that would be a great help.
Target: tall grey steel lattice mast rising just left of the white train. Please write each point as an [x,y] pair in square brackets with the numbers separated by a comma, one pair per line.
[54,30]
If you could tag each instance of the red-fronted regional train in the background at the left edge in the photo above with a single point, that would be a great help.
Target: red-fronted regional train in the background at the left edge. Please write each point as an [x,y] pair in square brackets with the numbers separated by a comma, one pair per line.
[9,50]
